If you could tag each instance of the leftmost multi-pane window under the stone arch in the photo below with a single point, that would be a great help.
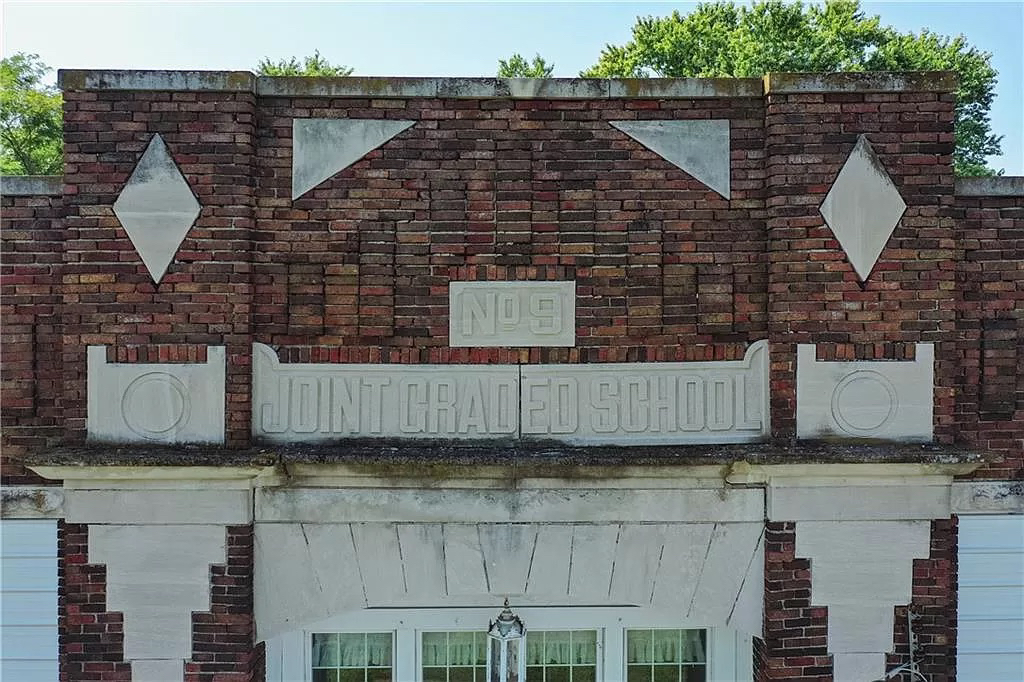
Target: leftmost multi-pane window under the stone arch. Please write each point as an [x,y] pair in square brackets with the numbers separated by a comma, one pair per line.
[354,658]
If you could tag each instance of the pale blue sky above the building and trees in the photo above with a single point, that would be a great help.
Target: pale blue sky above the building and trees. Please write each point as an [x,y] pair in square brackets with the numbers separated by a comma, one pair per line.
[439,39]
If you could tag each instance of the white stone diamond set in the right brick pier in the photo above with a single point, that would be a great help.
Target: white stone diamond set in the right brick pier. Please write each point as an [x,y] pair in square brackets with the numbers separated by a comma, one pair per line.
[863,208]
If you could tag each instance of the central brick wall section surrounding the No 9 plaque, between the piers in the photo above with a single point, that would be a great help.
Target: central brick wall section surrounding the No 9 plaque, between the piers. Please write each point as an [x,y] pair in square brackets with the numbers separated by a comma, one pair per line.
[510,190]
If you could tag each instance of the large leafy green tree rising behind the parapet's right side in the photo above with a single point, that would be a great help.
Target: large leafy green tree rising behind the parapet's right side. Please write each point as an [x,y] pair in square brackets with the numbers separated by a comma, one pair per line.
[723,40]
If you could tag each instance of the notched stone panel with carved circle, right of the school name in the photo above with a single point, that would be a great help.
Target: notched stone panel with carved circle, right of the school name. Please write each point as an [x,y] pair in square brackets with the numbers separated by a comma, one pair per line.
[865,400]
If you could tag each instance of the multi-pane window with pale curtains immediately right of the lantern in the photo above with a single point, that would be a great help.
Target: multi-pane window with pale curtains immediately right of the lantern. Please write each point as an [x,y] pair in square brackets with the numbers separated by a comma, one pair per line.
[562,656]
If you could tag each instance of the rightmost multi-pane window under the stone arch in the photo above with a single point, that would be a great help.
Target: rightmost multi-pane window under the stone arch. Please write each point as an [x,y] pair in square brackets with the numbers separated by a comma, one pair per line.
[666,656]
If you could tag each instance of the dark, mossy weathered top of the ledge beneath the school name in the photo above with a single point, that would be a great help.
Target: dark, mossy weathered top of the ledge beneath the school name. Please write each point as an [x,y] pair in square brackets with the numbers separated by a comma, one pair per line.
[388,453]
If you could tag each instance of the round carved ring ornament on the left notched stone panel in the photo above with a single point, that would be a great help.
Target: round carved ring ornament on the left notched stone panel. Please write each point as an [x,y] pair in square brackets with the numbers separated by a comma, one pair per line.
[154,404]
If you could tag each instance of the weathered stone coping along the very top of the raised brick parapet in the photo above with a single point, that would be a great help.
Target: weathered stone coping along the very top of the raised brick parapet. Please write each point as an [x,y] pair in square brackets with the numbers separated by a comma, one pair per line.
[515,89]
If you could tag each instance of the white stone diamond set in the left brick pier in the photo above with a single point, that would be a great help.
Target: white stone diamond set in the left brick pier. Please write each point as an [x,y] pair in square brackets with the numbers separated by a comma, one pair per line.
[157,208]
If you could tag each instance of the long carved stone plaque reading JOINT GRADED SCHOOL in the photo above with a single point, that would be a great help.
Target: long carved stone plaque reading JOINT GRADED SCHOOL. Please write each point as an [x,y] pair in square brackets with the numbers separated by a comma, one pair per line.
[615,404]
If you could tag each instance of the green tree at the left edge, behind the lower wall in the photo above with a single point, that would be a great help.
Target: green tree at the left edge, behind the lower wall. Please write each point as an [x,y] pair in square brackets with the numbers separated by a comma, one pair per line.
[31,119]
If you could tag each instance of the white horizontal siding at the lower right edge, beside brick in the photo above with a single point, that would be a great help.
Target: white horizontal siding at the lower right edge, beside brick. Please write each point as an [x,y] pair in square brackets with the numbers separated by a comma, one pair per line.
[991,631]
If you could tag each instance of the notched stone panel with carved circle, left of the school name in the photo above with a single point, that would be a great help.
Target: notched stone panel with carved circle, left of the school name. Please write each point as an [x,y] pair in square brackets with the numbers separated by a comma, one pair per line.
[156,403]
